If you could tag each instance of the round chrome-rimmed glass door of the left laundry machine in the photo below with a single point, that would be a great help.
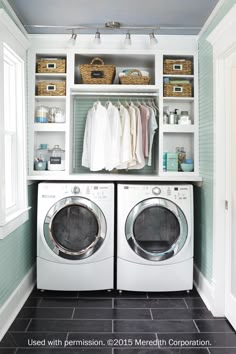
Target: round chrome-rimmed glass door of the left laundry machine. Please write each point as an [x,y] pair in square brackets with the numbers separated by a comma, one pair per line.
[75,228]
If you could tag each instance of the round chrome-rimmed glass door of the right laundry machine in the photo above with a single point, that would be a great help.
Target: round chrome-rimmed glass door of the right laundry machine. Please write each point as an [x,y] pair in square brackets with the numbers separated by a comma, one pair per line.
[156,229]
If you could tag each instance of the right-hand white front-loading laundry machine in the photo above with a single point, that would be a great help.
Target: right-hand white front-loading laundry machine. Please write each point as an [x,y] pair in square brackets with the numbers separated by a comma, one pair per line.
[155,237]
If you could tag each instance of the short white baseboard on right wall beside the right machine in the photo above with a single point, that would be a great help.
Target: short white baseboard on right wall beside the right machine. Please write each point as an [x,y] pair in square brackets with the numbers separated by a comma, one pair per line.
[204,287]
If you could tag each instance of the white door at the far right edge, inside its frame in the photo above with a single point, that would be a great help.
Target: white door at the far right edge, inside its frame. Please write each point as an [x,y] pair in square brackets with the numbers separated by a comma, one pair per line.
[230,255]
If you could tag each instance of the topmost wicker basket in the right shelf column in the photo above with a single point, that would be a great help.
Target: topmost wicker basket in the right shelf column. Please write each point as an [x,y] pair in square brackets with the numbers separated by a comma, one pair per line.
[177,67]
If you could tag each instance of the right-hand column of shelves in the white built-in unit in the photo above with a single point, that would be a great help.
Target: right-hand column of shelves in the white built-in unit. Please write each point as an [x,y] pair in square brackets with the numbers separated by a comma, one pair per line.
[172,136]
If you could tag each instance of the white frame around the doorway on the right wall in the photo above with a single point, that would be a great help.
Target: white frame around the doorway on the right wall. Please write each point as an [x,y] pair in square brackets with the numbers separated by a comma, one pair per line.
[223,41]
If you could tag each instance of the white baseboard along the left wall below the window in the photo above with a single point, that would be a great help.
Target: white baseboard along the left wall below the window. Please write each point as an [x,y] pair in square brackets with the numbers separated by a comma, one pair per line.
[13,305]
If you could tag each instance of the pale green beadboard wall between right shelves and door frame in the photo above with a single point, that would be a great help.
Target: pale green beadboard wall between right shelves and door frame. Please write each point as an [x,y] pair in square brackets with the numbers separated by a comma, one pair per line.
[204,196]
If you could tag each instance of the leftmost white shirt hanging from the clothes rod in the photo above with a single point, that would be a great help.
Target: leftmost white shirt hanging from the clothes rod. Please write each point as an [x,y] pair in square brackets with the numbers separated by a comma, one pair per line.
[97,138]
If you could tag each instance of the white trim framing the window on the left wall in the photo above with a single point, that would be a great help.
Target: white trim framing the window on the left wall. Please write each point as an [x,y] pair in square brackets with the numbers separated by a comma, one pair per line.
[16,40]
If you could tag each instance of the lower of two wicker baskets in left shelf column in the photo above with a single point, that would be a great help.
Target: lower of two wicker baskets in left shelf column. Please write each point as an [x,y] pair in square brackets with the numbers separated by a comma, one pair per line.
[51,88]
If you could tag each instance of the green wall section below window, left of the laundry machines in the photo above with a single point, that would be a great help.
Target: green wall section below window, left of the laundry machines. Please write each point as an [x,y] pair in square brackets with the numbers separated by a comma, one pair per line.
[18,251]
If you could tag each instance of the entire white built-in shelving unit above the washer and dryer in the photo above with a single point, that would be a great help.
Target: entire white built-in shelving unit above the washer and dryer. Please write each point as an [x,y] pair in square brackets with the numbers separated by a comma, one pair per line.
[63,134]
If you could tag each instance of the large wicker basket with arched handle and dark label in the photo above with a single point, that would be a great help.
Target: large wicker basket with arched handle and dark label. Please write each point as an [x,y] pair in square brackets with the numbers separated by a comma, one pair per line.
[97,73]
